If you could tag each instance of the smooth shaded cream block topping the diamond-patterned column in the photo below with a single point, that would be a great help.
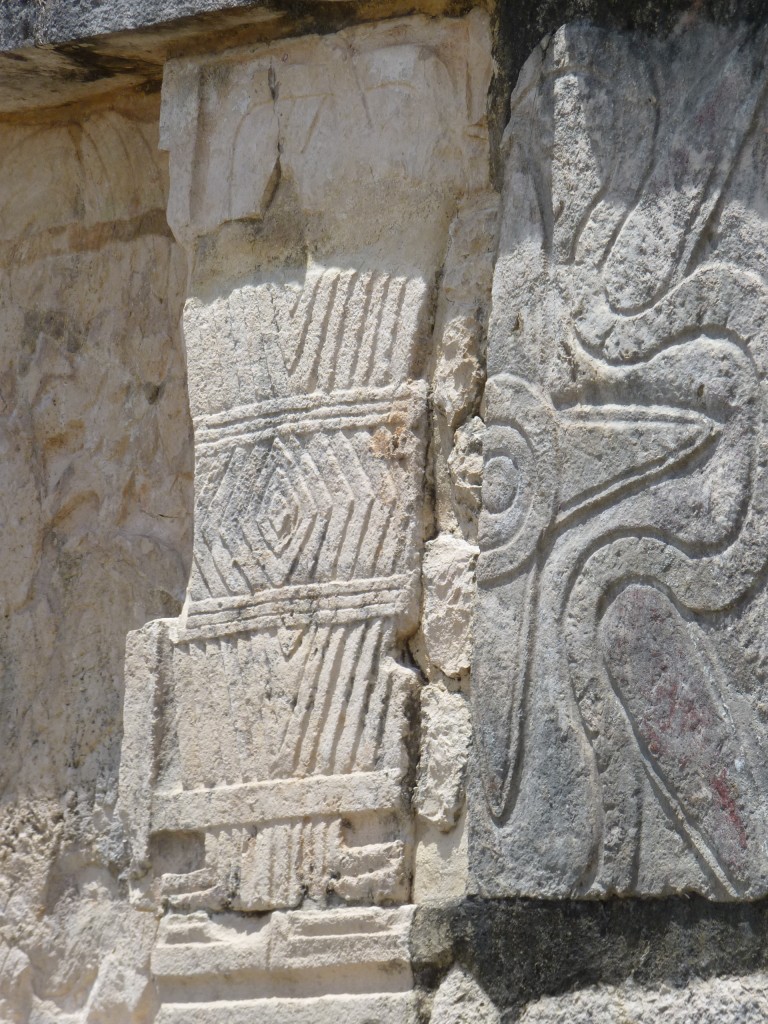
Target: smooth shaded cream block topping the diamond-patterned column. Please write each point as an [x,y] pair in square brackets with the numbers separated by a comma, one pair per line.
[401,96]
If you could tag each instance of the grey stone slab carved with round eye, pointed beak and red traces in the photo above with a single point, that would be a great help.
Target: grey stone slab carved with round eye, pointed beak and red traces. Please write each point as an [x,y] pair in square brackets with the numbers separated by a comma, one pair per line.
[619,668]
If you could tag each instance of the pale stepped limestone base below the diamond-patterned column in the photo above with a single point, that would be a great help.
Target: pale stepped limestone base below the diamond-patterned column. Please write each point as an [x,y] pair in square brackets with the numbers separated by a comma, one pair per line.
[296,967]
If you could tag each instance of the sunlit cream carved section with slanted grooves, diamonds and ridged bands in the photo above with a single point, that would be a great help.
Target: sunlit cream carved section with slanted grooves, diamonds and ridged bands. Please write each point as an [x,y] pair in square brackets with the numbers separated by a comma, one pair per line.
[306,568]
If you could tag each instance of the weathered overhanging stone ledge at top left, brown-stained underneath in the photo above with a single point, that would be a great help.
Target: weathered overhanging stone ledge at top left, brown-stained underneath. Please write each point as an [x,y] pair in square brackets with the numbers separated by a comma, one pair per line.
[61,52]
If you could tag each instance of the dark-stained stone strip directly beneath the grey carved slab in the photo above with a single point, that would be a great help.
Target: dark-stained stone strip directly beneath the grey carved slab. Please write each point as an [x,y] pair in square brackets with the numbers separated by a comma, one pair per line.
[522,952]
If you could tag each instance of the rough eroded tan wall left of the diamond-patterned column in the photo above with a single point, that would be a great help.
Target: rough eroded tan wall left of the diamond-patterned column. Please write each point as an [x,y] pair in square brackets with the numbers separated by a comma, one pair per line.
[96,487]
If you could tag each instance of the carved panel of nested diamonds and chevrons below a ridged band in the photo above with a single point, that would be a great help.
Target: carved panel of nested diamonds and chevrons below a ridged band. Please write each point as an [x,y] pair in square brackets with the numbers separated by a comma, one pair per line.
[311,500]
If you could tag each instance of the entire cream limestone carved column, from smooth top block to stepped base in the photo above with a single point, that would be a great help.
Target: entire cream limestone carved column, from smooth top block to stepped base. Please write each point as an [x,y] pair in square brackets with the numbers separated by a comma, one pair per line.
[268,757]
